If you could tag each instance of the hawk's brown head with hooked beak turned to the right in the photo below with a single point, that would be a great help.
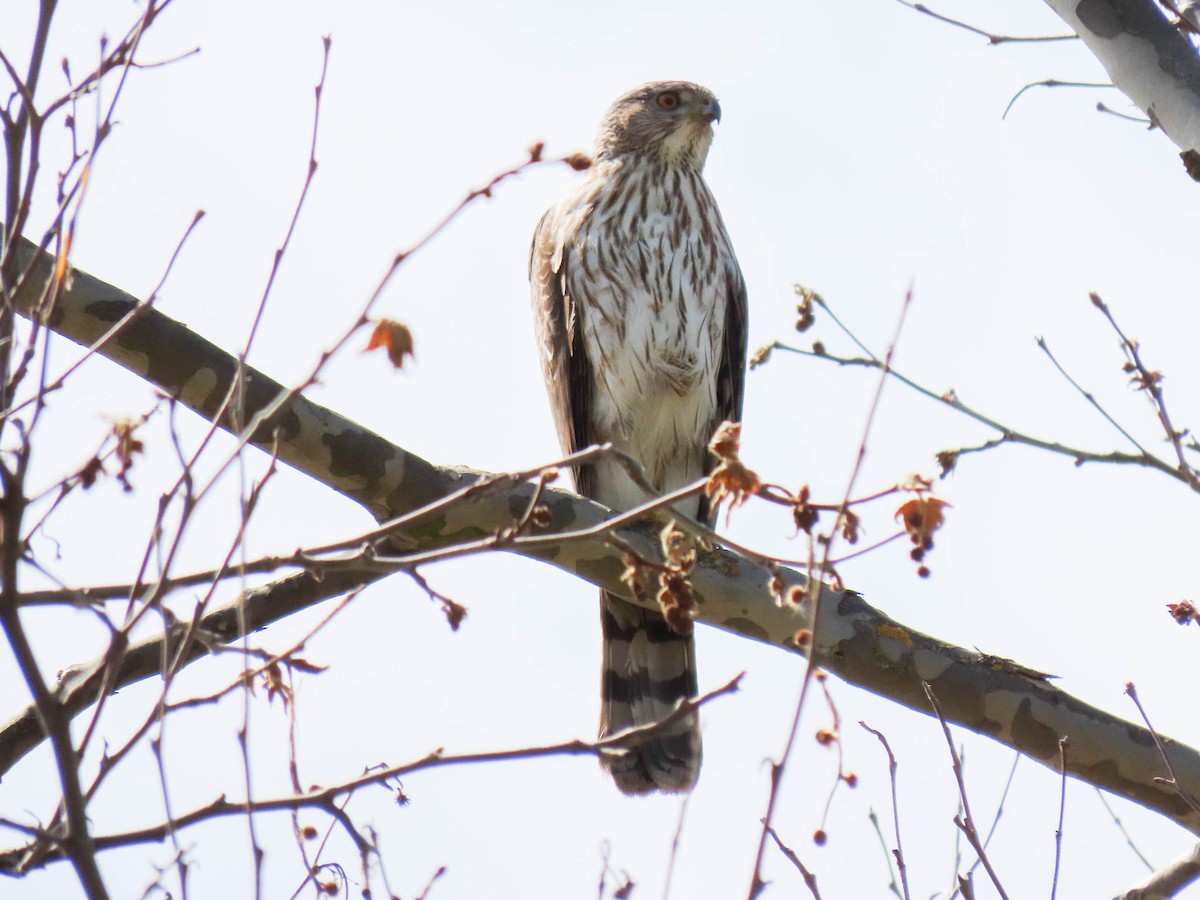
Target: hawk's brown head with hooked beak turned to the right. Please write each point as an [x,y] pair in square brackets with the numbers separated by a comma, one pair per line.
[669,121]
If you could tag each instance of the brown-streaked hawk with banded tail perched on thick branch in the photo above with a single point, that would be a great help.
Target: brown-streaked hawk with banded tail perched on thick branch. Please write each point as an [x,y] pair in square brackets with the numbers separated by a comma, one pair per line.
[641,317]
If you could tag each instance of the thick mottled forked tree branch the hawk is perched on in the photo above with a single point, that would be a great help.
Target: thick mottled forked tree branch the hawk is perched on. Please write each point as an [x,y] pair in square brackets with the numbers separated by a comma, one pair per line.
[857,643]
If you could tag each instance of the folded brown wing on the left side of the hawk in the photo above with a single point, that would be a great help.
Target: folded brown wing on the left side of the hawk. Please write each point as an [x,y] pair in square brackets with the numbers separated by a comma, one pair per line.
[567,368]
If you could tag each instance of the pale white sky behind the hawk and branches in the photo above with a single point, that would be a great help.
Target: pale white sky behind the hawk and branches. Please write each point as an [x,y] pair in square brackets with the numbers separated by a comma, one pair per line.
[861,151]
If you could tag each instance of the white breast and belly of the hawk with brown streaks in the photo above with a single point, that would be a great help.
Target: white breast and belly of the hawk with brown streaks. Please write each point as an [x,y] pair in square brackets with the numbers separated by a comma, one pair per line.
[652,302]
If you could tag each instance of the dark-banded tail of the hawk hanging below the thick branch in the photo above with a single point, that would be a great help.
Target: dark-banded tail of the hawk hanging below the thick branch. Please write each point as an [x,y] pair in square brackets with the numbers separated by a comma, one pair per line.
[647,669]
